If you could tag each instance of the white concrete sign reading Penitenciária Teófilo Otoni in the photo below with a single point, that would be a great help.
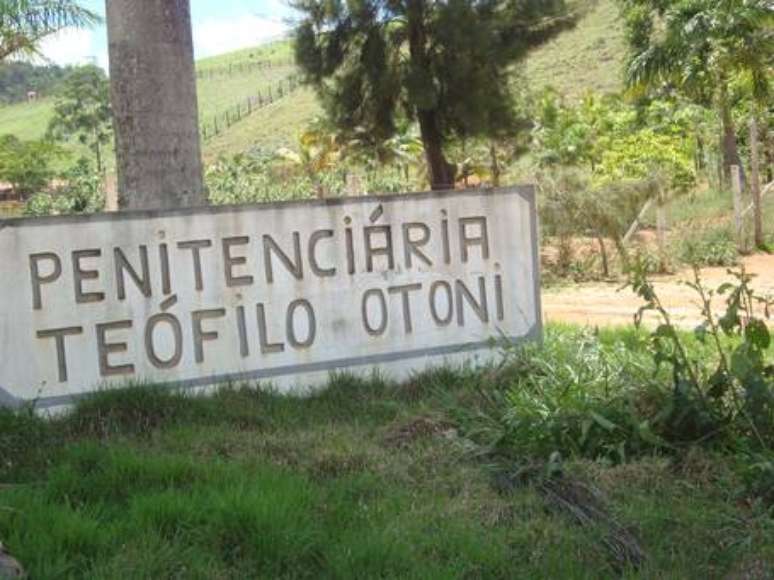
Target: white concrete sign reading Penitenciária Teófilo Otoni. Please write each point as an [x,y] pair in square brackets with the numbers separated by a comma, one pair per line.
[283,293]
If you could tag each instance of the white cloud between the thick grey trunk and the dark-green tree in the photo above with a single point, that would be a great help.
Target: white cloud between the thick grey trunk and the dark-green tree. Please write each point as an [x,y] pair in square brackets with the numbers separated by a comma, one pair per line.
[217,36]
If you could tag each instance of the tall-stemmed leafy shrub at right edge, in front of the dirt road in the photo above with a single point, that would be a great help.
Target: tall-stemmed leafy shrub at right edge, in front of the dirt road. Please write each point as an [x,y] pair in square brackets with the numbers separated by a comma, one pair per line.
[730,395]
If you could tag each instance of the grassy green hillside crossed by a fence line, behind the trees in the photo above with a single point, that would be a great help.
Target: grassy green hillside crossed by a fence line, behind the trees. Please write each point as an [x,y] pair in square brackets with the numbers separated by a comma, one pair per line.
[586,58]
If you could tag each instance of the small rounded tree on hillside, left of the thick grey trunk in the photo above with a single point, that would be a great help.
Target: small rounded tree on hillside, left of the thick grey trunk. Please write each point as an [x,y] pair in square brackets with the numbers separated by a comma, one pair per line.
[82,110]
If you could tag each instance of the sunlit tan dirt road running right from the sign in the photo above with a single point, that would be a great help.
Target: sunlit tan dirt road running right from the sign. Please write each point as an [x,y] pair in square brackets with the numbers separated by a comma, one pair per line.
[604,305]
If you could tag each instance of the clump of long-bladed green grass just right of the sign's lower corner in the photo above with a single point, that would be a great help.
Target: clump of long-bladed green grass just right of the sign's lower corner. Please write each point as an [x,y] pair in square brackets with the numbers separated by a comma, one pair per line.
[574,395]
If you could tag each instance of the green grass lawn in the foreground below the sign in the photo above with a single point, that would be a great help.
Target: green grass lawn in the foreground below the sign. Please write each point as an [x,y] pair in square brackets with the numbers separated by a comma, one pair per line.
[363,480]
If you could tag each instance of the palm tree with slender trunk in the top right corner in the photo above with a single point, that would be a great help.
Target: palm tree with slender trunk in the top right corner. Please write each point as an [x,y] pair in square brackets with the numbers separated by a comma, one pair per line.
[699,47]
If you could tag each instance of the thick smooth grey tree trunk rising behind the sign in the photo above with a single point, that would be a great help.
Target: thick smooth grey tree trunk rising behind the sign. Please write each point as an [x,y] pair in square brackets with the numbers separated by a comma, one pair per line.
[153,88]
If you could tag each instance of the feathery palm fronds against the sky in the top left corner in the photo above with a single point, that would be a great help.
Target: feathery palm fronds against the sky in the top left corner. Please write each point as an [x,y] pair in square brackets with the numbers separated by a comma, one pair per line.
[25,23]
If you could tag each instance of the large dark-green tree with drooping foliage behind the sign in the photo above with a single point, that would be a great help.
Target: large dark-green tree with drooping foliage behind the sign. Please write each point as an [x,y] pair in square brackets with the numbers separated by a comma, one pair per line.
[445,65]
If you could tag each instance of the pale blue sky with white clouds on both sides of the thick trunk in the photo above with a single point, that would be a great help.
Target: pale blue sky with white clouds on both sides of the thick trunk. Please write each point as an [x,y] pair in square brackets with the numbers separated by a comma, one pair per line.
[219,26]
